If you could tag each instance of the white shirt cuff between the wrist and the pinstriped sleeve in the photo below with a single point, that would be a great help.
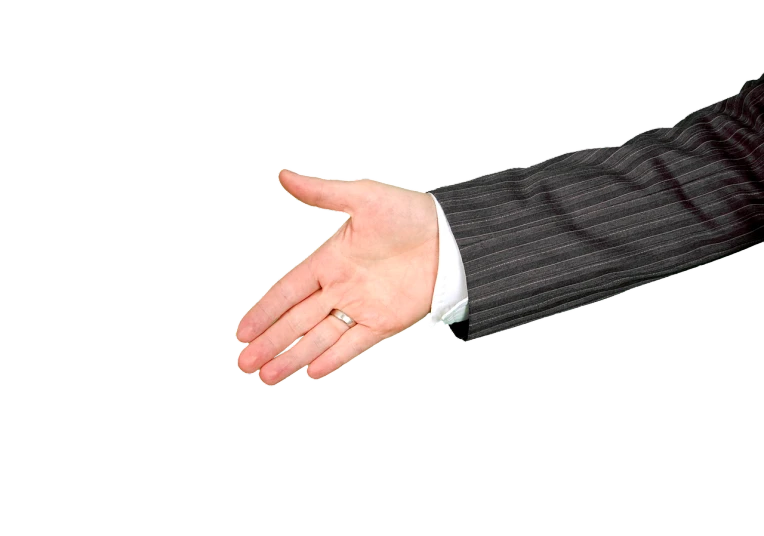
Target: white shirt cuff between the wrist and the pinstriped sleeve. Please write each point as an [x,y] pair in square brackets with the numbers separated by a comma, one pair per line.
[449,301]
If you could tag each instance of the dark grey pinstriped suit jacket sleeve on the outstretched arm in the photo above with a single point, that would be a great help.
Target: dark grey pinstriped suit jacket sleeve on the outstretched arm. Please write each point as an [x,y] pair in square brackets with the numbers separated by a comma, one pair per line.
[585,226]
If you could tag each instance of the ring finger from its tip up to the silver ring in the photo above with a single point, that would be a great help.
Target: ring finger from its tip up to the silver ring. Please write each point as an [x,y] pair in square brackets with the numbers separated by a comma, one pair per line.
[313,344]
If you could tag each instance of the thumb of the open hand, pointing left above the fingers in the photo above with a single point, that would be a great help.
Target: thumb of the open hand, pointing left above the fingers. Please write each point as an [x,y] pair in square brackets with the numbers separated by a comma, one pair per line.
[330,194]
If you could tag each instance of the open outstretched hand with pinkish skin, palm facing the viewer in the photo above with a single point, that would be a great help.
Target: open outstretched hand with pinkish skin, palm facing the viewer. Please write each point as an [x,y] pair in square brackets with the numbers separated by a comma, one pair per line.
[379,268]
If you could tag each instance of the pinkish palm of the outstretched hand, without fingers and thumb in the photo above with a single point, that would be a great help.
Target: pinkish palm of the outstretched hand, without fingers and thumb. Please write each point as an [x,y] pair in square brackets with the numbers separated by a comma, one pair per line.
[378,262]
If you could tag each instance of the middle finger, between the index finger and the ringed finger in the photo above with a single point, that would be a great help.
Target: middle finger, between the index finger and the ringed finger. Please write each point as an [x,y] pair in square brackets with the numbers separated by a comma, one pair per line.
[291,326]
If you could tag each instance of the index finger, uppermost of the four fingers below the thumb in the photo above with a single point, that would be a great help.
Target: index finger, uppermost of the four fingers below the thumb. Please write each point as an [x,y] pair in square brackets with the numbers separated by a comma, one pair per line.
[287,292]
